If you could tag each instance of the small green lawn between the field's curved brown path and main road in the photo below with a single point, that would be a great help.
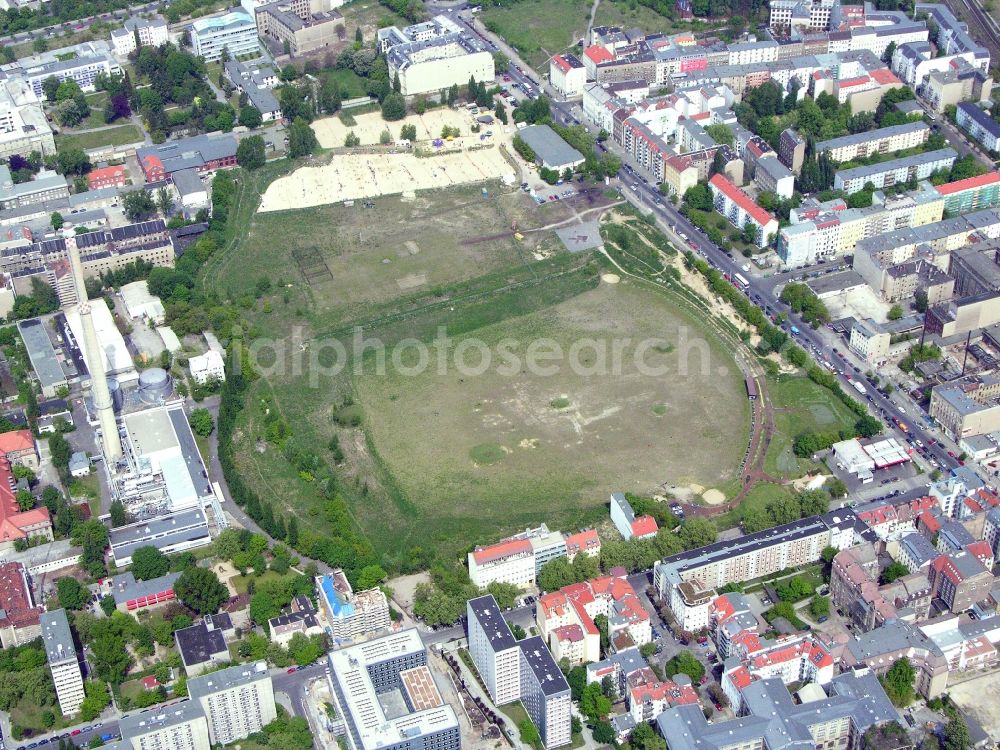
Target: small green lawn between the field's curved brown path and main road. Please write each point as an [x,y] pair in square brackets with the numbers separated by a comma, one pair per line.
[800,405]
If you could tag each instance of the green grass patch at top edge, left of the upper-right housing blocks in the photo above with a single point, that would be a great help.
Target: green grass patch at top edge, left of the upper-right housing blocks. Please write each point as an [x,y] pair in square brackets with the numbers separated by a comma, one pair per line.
[539,28]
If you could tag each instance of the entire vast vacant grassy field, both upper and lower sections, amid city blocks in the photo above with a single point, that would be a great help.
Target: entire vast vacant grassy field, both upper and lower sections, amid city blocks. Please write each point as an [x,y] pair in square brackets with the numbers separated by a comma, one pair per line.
[444,461]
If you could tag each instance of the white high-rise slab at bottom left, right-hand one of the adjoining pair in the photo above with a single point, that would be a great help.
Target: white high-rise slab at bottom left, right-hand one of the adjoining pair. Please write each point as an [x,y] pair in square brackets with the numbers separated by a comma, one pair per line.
[236,701]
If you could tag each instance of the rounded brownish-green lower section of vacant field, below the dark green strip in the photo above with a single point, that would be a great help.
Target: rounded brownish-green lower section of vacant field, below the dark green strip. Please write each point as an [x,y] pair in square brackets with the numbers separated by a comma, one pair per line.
[489,451]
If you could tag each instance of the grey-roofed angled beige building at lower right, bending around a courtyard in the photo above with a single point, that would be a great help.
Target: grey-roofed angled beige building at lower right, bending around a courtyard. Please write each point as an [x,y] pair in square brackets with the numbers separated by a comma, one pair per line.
[880,648]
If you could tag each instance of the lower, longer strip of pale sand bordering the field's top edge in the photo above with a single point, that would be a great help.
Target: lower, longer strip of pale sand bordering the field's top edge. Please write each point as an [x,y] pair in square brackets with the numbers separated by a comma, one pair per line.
[358,176]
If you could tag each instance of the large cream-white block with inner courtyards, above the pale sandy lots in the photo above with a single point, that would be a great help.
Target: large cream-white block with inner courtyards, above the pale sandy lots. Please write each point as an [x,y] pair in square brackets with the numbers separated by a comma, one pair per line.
[430,57]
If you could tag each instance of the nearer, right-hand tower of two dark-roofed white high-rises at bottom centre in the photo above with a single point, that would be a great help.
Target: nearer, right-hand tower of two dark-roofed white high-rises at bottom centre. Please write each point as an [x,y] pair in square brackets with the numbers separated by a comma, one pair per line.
[545,693]
